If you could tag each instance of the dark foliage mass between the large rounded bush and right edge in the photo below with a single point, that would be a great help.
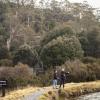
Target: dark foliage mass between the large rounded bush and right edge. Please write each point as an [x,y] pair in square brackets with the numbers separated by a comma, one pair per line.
[91,43]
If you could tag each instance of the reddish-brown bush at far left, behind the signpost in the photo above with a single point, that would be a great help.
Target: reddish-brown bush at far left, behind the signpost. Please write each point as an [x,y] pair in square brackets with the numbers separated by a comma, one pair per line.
[17,76]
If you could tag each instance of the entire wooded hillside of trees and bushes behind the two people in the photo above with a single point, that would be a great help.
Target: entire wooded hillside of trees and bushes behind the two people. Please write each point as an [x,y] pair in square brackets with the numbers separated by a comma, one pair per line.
[46,35]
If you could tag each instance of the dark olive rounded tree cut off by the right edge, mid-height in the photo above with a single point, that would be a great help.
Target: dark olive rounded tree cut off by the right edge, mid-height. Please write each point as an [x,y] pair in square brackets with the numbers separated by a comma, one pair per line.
[94,43]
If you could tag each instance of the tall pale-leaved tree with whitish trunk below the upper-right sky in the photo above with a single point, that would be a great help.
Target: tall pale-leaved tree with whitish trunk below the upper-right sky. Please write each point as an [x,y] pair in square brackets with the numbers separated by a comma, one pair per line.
[84,18]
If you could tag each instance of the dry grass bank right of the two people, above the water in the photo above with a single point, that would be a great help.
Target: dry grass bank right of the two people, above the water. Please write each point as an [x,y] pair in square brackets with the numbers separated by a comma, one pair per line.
[78,89]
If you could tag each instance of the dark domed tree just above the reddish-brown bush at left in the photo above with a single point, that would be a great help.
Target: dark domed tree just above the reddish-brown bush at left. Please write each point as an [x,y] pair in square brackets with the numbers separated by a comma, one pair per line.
[25,56]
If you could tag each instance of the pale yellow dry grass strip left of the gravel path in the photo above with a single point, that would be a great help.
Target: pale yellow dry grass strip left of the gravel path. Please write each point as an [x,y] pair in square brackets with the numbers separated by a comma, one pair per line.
[18,94]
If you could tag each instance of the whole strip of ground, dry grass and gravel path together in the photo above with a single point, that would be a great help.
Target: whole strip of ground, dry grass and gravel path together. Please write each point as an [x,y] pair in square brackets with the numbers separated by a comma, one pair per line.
[70,91]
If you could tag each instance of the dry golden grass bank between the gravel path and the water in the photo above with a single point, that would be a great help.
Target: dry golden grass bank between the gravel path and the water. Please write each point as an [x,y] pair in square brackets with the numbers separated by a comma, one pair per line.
[74,90]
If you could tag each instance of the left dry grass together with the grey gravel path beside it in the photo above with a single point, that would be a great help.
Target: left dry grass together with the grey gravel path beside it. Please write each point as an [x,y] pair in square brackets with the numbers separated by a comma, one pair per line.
[29,93]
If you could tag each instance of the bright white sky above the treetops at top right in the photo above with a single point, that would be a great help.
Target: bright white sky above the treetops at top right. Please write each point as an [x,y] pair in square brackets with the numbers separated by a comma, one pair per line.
[93,3]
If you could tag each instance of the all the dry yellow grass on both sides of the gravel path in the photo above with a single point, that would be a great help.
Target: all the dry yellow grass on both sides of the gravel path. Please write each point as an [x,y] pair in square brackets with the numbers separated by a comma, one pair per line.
[70,90]
